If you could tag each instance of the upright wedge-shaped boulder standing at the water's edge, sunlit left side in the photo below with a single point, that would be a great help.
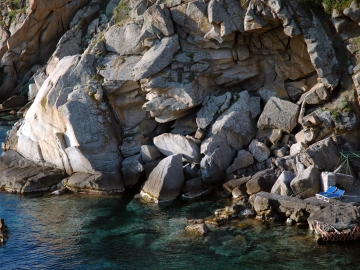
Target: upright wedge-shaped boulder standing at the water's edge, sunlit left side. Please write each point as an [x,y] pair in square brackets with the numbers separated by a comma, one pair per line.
[165,181]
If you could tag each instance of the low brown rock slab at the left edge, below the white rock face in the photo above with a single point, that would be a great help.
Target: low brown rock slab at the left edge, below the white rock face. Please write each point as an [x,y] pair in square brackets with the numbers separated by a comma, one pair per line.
[19,175]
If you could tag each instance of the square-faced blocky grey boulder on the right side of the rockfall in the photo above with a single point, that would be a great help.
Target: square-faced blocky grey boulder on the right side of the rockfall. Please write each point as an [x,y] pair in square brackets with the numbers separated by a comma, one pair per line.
[280,114]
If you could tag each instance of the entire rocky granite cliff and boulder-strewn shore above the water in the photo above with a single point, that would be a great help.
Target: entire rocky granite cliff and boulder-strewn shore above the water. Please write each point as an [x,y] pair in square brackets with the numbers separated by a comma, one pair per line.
[182,97]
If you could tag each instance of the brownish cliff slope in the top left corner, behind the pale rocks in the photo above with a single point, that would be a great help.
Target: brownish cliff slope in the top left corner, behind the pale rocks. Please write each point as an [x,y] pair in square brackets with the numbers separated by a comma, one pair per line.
[33,38]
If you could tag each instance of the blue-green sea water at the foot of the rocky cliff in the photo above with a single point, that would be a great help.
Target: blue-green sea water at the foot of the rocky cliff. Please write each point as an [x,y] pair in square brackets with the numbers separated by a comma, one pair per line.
[98,232]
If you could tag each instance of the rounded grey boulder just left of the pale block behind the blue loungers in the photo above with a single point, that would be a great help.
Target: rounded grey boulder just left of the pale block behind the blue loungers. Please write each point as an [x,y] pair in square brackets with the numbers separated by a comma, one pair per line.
[307,183]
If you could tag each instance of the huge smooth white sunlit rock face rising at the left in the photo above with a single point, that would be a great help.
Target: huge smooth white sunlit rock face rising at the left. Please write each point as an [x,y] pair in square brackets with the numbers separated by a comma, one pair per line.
[54,131]
